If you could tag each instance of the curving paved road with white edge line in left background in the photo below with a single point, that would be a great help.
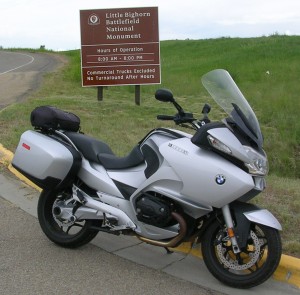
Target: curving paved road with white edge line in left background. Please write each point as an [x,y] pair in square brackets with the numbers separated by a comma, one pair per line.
[21,74]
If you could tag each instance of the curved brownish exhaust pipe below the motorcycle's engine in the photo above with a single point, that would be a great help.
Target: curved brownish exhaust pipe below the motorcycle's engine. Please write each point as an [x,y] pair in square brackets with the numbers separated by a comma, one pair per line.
[173,242]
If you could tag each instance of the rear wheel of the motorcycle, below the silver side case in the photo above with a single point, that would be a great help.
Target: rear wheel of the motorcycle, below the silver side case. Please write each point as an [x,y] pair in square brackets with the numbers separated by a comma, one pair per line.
[69,234]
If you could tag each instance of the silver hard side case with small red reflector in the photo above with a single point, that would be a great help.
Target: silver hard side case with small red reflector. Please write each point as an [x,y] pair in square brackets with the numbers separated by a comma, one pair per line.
[47,161]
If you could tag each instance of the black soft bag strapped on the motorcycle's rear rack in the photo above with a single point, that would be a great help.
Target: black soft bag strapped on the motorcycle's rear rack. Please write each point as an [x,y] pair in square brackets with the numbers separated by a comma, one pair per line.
[49,117]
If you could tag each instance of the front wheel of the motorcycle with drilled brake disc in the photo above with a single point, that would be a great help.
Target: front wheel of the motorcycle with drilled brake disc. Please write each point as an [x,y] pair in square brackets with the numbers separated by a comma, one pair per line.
[254,265]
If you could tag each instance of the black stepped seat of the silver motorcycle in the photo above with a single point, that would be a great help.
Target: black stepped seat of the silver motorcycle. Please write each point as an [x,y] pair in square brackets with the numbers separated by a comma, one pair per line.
[98,151]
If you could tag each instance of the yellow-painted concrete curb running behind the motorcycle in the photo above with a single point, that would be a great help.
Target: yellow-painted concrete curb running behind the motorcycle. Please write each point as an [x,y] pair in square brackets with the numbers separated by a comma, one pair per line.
[288,270]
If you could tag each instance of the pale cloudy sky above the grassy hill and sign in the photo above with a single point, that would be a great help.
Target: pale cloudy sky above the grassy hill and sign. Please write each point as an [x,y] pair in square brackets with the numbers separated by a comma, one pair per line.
[55,24]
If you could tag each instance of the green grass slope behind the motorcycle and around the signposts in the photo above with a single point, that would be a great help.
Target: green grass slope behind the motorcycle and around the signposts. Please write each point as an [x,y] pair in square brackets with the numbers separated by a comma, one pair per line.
[266,69]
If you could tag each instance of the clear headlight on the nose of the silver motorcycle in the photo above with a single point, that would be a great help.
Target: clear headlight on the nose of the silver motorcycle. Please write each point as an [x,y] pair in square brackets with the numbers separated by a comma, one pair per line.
[258,163]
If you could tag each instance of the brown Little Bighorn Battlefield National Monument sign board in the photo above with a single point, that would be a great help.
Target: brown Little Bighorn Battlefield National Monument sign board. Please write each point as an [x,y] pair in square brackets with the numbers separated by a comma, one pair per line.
[120,46]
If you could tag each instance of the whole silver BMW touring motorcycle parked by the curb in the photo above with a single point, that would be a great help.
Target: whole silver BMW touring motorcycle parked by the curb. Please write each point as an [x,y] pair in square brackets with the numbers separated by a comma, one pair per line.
[171,188]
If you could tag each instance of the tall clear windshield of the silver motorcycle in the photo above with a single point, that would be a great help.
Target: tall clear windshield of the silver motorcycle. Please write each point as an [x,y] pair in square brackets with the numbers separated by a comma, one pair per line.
[227,95]
